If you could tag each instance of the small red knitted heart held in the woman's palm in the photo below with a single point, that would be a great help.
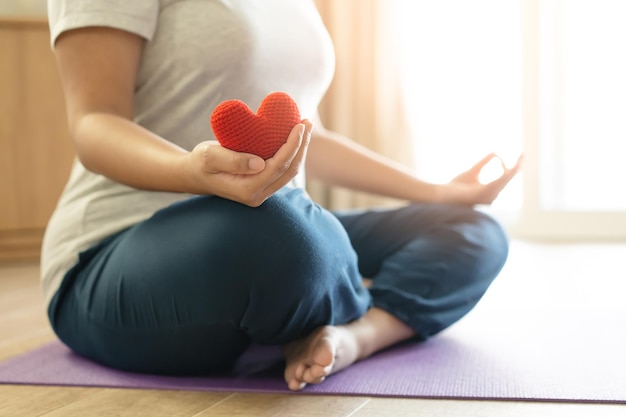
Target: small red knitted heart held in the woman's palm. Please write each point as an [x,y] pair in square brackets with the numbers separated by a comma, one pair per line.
[237,128]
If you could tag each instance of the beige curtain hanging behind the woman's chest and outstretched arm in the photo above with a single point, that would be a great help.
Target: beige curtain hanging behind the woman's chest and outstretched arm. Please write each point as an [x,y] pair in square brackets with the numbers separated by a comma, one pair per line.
[365,100]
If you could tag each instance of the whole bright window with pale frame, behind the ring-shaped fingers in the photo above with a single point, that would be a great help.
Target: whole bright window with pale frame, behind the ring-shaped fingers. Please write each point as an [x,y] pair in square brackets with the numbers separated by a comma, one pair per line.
[542,76]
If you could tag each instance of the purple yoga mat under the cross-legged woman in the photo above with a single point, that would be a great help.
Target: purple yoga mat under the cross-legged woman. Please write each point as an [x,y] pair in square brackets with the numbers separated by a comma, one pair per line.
[510,354]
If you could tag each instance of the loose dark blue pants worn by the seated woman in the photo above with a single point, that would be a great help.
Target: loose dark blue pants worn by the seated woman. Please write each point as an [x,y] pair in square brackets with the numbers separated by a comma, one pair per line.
[186,291]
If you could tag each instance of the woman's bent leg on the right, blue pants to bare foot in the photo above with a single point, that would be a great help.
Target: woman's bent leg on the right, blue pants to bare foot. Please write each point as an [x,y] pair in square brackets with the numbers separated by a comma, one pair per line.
[430,266]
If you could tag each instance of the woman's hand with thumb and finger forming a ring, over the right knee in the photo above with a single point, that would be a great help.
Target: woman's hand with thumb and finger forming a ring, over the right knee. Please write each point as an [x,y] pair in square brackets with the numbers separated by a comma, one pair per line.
[466,187]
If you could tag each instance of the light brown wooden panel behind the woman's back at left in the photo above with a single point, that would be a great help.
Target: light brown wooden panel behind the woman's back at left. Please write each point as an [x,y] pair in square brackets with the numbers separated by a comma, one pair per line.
[35,148]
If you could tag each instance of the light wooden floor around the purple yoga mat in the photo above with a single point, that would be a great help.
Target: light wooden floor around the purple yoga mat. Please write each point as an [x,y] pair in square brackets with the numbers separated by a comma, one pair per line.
[23,326]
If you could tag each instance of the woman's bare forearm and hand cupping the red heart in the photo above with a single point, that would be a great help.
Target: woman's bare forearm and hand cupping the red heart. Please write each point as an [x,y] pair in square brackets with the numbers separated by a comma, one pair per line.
[118,148]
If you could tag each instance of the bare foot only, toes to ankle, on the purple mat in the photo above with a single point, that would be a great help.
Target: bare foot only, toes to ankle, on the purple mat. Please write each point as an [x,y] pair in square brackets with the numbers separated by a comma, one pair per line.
[325,351]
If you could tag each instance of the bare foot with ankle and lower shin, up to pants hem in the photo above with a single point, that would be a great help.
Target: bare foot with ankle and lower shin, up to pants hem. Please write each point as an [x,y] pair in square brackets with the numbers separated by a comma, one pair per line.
[330,349]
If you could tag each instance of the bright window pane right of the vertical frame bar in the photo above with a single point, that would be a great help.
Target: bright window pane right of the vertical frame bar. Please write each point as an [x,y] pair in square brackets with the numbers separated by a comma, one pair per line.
[583,105]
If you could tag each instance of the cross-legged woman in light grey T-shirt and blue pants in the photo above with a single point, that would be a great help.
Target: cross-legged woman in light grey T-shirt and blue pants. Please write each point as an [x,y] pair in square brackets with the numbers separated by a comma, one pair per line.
[170,254]
